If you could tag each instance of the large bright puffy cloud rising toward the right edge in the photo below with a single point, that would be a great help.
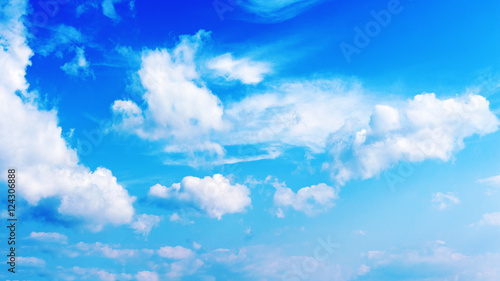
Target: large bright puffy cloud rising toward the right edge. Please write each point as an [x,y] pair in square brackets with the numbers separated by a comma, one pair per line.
[422,128]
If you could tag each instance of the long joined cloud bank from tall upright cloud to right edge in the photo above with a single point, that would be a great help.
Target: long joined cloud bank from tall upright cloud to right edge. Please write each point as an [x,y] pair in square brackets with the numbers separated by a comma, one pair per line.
[365,138]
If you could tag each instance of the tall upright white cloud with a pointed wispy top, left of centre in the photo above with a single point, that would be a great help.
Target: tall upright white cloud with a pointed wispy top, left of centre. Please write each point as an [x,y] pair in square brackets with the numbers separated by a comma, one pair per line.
[179,106]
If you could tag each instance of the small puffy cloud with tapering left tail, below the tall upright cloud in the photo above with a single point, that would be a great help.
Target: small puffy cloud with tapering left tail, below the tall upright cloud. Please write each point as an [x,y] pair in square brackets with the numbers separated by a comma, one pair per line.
[214,195]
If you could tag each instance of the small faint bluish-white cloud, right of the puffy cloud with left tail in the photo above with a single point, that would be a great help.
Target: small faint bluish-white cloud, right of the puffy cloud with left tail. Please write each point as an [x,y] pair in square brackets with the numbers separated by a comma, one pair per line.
[309,200]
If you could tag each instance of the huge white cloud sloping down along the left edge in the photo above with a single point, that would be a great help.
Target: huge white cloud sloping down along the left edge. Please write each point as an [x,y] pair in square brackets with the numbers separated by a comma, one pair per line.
[48,166]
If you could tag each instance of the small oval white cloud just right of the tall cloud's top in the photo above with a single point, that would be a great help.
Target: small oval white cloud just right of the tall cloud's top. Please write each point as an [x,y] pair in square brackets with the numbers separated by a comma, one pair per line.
[245,70]
